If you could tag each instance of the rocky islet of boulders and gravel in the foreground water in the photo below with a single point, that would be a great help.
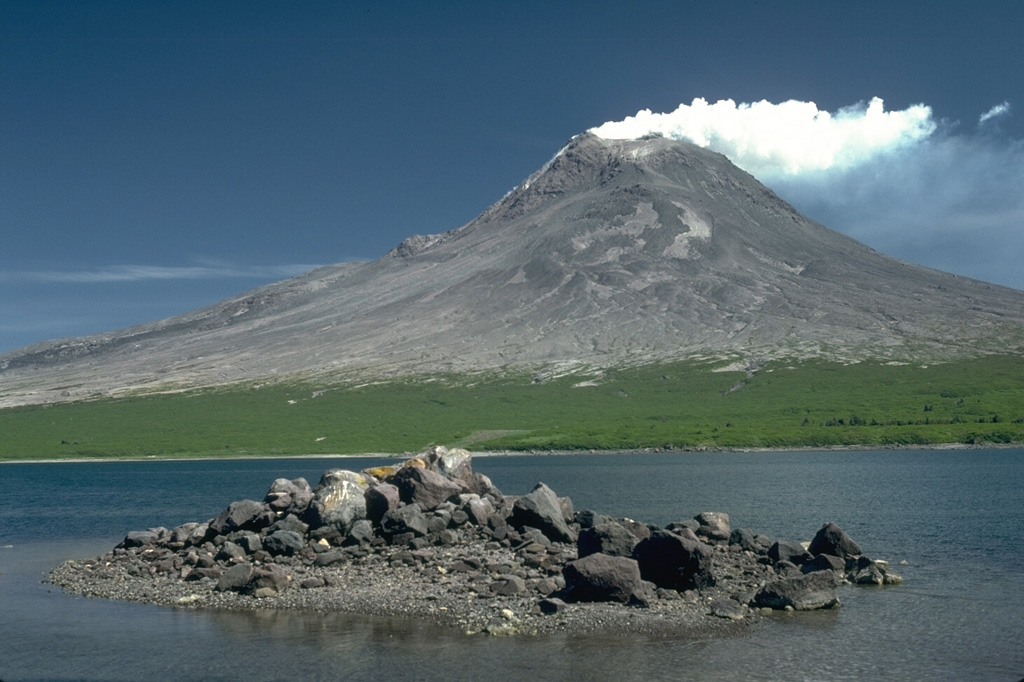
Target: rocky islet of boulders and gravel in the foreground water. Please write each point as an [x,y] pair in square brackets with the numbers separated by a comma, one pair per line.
[431,538]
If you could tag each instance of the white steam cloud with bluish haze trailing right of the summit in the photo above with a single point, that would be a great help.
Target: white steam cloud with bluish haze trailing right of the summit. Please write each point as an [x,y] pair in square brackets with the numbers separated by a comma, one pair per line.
[927,191]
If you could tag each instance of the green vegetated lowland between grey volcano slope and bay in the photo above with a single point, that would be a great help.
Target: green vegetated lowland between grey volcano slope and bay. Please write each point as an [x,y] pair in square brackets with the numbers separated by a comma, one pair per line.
[672,406]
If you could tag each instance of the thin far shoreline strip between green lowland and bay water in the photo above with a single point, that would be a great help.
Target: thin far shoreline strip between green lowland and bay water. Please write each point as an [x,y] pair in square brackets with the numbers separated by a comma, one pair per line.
[538,453]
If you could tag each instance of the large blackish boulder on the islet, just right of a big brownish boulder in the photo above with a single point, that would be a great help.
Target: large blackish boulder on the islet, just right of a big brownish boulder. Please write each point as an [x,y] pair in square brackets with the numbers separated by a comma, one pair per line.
[672,562]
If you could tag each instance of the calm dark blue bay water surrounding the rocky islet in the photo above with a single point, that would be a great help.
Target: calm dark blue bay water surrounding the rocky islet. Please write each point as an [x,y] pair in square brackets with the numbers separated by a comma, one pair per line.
[956,517]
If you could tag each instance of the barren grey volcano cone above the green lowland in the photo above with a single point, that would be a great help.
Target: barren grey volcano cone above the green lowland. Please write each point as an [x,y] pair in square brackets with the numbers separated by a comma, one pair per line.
[615,251]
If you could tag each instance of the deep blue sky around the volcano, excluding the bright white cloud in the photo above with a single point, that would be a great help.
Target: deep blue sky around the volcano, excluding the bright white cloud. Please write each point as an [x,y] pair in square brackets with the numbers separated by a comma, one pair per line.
[157,157]
